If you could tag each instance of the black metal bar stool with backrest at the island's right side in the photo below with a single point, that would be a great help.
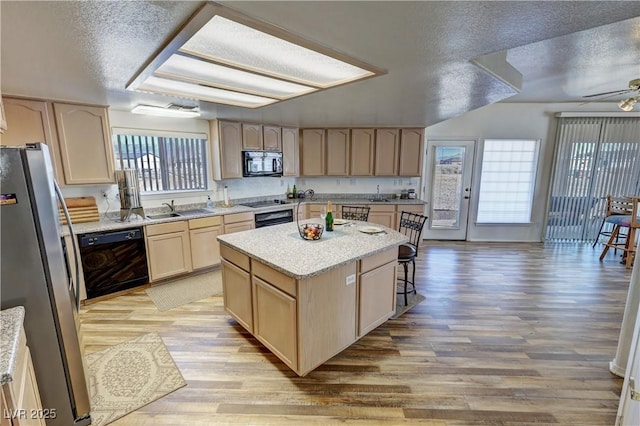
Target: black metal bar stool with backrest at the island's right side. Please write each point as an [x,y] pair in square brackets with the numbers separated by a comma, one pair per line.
[411,225]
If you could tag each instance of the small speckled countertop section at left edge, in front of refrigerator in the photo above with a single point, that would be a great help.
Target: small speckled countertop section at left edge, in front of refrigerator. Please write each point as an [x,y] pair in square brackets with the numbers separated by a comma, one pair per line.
[10,325]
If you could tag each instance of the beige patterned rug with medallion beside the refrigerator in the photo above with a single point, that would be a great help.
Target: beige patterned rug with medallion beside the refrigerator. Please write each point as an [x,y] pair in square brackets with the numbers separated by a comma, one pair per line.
[128,376]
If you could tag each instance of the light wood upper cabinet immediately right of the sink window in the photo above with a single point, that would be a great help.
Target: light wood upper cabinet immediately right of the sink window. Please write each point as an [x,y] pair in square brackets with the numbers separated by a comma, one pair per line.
[226,149]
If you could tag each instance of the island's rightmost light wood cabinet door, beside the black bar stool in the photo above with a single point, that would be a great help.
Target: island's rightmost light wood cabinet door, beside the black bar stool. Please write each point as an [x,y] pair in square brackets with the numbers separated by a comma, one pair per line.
[376,296]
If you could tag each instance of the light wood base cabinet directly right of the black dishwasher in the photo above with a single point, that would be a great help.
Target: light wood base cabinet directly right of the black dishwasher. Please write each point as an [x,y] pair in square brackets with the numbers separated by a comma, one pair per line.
[168,249]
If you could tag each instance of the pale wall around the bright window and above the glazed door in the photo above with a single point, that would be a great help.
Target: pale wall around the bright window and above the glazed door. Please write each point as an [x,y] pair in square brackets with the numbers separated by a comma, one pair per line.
[517,121]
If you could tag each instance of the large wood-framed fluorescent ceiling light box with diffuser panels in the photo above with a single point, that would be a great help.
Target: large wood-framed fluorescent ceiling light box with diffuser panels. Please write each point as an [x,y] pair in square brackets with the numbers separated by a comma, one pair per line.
[223,56]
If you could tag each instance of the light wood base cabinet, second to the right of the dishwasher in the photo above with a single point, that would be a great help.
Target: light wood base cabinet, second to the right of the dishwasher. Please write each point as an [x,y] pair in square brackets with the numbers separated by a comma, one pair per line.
[205,248]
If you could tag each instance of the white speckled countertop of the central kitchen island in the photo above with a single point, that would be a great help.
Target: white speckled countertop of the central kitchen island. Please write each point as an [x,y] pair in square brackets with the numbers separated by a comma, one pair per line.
[282,248]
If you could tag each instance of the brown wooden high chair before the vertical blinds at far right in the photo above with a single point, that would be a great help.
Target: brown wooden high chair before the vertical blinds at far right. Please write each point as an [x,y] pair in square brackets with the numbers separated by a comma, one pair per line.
[625,217]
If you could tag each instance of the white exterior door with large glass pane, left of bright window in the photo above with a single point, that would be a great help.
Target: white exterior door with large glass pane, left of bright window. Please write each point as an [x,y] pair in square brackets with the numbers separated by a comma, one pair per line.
[448,172]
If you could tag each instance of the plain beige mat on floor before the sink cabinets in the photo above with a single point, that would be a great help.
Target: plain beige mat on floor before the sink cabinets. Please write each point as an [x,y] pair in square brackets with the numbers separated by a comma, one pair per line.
[177,293]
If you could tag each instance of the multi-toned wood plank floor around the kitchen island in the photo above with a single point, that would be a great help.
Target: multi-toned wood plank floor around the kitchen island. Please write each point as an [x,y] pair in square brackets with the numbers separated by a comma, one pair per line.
[509,334]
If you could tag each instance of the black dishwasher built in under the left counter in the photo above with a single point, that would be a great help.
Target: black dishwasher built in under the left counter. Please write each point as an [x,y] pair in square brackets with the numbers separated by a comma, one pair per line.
[113,261]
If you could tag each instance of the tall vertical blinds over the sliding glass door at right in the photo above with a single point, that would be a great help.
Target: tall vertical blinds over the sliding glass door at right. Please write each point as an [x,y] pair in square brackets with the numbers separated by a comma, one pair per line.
[594,157]
